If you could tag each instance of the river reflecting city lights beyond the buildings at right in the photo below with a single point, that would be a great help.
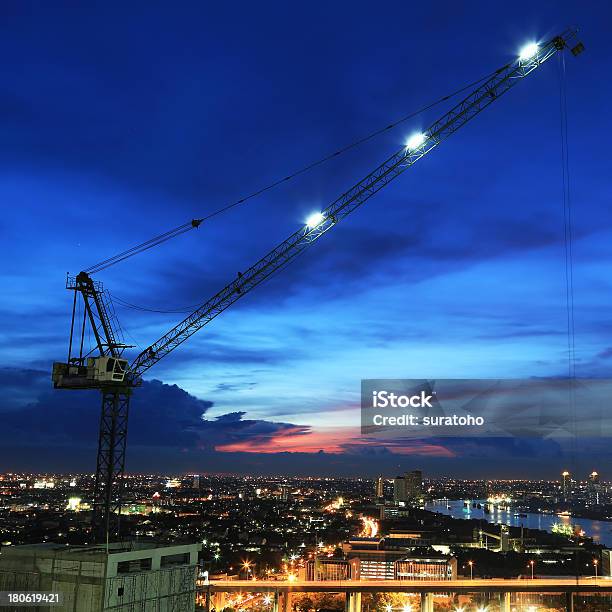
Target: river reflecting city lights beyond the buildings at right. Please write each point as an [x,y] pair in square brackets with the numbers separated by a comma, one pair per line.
[600,531]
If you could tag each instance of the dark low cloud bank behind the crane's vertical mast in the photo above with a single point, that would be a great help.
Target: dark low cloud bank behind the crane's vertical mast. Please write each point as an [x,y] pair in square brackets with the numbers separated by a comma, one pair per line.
[160,415]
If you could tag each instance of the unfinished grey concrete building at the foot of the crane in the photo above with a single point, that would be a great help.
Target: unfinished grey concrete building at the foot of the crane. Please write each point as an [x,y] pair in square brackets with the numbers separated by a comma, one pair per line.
[123,577]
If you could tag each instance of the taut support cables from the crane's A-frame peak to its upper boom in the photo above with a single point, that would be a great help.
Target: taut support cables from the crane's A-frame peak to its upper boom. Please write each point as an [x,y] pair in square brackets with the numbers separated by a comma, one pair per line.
[194,223]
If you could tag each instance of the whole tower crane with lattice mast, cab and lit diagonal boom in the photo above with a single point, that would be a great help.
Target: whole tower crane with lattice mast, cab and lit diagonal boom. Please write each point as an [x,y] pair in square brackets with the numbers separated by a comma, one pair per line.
[106,369]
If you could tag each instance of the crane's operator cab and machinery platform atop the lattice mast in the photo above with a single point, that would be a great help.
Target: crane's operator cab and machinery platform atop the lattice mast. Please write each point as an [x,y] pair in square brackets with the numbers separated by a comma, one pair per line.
[99,372]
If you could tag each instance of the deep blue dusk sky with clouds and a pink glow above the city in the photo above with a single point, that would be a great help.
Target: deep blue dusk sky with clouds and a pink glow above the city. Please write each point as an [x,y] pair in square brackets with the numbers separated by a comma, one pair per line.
[120,121]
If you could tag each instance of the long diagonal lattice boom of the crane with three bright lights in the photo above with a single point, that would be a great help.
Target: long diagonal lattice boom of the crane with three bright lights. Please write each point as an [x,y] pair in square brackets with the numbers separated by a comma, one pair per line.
[468,108]
